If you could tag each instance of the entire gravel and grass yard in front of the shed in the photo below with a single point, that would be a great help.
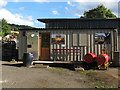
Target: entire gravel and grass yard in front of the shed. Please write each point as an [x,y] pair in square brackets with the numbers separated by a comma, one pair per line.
[22,77]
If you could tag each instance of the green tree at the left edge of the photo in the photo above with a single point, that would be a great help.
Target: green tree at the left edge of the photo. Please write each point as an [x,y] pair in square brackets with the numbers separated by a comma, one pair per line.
[6,29]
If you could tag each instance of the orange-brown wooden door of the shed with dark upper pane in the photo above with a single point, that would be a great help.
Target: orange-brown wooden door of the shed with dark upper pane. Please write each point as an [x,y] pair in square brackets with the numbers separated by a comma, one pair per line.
[44,46]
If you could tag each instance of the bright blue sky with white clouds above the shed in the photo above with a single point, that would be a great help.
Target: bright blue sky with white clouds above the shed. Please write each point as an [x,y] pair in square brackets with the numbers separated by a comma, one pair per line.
[26,12]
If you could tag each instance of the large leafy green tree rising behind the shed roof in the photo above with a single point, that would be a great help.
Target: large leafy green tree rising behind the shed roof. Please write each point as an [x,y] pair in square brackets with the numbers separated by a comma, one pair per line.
[99,12]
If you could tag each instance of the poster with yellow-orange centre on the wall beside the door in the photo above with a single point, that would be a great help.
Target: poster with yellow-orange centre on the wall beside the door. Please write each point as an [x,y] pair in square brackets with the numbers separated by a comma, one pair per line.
[58,39]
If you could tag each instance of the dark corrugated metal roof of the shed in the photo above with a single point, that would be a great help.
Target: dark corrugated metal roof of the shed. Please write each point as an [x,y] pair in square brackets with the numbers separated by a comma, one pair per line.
[79,23]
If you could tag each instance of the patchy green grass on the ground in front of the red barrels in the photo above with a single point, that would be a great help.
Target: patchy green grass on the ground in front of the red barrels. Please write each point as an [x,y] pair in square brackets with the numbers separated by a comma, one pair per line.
[94,77]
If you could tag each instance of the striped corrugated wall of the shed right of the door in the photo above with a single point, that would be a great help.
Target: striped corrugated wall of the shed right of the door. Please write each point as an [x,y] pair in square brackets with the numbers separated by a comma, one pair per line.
[83,40]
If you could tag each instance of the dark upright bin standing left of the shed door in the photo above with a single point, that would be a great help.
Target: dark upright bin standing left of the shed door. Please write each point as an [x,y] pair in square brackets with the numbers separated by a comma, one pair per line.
[27,59]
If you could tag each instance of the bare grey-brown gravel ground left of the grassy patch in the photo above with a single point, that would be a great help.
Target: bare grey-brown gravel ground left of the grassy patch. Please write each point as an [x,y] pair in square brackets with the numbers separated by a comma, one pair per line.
[22,77]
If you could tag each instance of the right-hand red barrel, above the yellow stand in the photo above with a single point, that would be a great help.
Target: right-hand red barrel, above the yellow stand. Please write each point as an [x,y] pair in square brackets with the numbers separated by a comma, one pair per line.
[102,59]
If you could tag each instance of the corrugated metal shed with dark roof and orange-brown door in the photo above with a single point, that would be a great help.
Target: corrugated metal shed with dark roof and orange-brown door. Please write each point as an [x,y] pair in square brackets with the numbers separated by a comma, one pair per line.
[70,39]
